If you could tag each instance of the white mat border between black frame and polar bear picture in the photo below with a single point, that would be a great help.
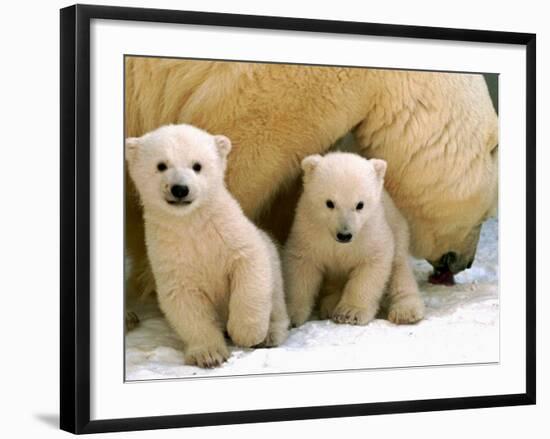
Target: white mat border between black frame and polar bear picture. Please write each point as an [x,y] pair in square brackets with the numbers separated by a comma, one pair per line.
[111,398]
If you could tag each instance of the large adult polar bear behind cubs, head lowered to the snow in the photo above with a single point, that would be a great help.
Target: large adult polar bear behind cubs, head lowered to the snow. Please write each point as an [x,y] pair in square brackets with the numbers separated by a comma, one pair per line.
[437,131]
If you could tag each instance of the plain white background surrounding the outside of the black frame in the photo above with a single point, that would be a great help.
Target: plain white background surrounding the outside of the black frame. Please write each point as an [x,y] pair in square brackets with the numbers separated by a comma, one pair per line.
[29,239]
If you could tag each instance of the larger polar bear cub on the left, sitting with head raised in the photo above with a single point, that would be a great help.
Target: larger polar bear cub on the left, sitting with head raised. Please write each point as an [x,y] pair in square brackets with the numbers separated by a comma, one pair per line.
[214,270]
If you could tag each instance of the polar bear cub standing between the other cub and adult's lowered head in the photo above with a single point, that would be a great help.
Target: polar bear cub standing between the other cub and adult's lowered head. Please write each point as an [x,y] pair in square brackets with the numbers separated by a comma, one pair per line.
[348,244]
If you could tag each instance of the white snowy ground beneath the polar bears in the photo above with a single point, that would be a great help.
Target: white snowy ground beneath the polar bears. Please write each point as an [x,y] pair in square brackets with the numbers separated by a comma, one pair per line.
[461,326]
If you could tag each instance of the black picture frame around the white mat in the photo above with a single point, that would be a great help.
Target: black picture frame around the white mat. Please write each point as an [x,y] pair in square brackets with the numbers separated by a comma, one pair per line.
[75,217]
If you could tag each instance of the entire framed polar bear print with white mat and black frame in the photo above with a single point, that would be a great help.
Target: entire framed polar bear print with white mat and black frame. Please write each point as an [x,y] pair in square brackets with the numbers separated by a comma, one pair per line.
[304,218]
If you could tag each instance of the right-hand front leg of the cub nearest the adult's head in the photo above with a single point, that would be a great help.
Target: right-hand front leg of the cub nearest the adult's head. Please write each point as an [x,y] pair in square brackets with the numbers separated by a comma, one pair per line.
[363,291]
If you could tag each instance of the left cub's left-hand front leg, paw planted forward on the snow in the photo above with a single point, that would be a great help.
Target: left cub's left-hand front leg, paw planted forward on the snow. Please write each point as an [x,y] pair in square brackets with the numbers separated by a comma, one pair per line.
[193,317]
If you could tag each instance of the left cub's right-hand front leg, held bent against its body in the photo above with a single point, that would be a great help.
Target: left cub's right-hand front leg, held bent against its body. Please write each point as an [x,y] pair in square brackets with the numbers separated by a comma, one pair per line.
[250,302]
